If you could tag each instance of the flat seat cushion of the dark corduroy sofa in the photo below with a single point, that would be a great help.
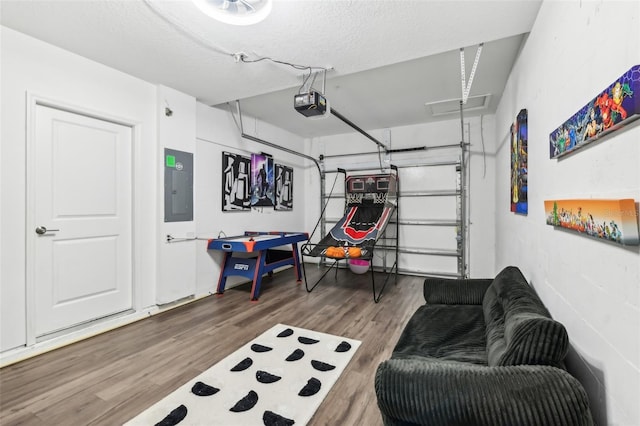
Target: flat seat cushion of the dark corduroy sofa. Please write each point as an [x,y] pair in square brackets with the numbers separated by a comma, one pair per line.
[445,332]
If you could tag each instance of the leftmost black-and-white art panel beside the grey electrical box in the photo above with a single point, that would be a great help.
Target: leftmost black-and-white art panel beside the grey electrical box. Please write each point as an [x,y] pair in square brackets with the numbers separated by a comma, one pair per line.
[235,182]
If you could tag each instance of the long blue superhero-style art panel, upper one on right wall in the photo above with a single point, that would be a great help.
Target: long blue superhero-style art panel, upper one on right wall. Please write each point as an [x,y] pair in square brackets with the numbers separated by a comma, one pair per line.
[613,108]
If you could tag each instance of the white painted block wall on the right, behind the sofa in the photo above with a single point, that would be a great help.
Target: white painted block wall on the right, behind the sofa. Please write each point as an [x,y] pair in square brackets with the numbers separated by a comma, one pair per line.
[575,50]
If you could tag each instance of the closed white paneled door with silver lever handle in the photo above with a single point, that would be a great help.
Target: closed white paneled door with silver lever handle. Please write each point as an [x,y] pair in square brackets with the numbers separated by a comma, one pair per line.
[81,208]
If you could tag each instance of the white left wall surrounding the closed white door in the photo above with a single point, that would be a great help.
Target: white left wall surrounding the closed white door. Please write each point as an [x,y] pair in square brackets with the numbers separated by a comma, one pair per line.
[30,66]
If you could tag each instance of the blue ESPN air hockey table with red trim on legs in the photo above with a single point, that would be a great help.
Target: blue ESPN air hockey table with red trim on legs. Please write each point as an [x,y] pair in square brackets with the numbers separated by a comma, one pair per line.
[267,260]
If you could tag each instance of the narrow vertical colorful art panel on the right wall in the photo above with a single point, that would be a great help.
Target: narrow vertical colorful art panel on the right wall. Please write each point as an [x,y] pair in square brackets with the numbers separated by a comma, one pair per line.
[519,167]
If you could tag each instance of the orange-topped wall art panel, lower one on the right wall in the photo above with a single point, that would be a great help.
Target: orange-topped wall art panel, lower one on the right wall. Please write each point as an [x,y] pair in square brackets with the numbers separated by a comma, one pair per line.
[611,220]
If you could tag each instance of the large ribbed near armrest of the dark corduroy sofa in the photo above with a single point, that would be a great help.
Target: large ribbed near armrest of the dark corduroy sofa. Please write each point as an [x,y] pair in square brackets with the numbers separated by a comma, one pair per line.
[415,391]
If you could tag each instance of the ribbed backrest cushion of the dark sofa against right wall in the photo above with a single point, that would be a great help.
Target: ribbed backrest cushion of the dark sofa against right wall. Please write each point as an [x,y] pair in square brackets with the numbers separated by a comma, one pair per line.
[519,328]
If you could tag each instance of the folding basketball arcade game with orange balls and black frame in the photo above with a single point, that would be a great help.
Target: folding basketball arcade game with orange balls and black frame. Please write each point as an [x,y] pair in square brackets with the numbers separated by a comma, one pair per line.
[370,205]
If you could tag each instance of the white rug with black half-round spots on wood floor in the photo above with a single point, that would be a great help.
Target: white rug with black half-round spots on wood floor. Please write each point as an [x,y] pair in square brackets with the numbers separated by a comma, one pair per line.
[278,378]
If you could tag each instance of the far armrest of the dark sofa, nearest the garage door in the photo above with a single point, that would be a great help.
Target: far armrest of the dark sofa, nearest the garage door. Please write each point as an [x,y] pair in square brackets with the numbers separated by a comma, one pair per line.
[451,291]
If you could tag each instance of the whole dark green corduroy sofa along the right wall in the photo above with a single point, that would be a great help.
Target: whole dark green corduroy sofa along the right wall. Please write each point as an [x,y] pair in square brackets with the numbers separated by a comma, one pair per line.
[481,352]
